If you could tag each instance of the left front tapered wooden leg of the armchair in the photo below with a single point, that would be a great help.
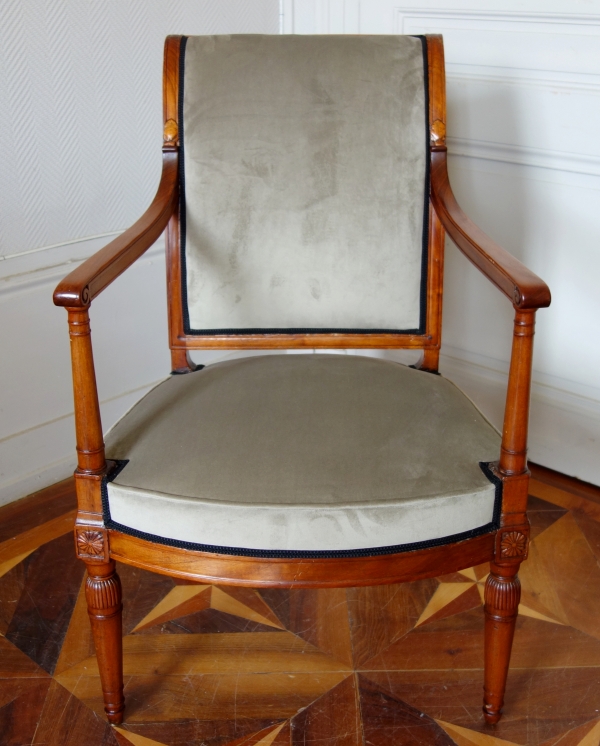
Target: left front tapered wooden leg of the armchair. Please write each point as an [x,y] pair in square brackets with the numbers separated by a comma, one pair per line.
[103,595]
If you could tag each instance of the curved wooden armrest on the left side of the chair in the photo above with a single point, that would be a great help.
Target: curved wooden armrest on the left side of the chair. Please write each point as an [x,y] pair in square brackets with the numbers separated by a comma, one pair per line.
[89,279]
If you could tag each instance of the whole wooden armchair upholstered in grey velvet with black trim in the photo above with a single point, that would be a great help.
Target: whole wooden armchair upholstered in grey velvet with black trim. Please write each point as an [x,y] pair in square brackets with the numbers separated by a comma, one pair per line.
[305,198]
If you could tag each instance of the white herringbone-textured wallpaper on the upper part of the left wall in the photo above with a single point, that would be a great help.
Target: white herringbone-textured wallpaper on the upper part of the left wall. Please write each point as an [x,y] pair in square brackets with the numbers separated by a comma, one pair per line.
[81,108]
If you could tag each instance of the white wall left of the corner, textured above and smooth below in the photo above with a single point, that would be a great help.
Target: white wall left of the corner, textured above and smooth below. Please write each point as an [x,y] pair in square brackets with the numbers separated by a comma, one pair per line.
[81,117]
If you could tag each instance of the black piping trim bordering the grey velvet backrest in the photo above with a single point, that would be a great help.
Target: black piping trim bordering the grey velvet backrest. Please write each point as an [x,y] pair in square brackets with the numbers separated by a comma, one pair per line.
[421,330]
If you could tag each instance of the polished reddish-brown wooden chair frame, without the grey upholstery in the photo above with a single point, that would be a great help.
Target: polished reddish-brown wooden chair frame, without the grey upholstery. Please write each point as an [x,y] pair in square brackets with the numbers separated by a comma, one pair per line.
[505,548]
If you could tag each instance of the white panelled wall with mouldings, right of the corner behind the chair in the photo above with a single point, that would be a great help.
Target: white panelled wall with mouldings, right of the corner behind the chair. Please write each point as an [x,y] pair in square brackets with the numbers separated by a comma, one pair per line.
[523,83]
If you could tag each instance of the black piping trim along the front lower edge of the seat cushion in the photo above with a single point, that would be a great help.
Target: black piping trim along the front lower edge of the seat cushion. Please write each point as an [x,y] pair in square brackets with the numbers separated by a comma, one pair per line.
[304,554]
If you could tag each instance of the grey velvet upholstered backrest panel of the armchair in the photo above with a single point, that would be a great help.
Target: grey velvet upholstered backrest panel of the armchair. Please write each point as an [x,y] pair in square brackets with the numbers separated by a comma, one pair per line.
[305,169]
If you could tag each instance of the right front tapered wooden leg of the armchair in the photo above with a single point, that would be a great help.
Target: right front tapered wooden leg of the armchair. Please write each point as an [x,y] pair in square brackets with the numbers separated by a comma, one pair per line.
[502,596]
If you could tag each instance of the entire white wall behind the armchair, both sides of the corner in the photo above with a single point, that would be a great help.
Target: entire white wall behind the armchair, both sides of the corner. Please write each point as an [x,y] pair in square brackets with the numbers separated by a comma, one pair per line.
[81,93]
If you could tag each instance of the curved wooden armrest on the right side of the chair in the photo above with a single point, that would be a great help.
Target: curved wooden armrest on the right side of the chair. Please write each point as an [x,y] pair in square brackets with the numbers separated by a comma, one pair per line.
[519,284]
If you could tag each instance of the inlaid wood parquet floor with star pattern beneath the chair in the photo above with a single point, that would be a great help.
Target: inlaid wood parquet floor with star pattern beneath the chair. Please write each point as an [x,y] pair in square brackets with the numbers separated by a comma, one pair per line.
[379,666]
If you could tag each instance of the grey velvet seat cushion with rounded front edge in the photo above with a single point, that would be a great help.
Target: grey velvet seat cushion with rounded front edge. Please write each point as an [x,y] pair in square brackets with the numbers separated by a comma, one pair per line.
[303,453]
